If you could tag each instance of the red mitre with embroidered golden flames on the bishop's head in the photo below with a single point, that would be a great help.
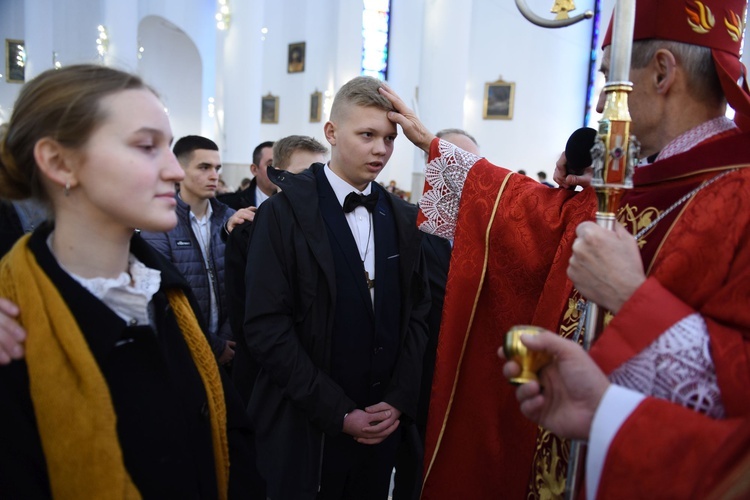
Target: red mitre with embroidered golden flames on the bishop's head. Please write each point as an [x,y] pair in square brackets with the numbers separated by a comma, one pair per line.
[716,24]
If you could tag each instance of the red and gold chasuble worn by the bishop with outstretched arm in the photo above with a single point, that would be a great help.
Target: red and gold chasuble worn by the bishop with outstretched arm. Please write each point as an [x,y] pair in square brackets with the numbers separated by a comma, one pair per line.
[513,239]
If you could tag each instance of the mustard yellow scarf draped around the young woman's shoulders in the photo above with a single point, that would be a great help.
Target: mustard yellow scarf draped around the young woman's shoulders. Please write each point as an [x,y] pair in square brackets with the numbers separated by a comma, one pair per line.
[72,404]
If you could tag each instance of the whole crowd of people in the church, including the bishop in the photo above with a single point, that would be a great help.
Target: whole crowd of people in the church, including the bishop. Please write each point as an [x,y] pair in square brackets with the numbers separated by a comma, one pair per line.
[302,336]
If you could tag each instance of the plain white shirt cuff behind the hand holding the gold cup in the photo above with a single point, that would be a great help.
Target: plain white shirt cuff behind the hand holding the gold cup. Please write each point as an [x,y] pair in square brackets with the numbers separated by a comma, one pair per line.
[614,409]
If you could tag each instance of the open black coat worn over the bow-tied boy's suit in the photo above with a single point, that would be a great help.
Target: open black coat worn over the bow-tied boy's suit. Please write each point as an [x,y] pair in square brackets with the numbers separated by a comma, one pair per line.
[289,317]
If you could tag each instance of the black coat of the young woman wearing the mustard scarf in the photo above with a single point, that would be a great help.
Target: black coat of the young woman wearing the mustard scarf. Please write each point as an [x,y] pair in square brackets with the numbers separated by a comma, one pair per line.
[158,397]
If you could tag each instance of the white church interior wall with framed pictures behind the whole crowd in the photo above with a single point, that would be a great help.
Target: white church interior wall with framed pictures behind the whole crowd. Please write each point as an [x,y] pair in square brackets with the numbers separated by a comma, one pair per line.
[190,62]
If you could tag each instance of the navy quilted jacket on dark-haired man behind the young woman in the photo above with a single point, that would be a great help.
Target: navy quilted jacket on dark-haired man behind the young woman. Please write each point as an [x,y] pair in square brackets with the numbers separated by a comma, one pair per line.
[181,247]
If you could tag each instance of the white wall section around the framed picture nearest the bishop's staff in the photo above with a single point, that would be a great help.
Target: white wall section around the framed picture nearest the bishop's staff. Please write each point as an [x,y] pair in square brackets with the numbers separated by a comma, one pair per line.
[550,70]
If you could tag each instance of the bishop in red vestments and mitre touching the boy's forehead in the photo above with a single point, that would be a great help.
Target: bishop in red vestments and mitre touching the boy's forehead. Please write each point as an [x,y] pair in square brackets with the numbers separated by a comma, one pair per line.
[686,226]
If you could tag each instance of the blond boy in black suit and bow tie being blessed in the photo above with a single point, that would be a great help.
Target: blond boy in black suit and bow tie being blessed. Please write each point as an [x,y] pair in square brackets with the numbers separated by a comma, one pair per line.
[335,315]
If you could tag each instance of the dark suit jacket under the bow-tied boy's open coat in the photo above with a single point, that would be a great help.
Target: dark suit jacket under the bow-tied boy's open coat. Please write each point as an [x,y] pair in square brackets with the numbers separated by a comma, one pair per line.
[364,339]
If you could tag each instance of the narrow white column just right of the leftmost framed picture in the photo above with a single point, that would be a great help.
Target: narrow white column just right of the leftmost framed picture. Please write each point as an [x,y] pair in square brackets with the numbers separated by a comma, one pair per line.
[38,23]
